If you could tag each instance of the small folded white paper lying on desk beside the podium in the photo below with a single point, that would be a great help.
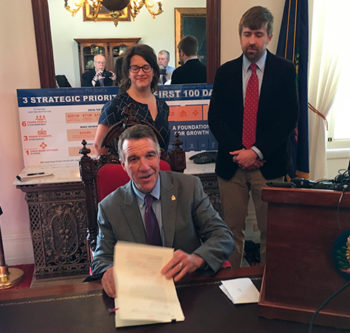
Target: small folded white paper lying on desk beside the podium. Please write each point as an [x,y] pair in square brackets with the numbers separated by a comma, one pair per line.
[240,290]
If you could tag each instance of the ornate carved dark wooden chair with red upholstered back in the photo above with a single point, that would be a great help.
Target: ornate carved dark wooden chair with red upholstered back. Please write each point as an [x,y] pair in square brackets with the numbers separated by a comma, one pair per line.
[102,175]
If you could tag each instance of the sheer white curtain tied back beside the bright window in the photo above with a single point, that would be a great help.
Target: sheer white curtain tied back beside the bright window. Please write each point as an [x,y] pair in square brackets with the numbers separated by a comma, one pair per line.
[323,76]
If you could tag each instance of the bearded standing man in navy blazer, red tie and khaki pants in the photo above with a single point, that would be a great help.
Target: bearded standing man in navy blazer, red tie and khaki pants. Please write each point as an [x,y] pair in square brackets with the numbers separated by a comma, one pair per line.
[252,139]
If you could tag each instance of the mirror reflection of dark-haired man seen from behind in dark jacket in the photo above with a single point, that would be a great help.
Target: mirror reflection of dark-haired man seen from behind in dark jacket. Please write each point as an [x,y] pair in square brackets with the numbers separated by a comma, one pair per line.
[191,69]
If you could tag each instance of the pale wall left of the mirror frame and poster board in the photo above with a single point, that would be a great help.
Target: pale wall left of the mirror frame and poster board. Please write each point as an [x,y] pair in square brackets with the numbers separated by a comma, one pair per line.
[18,69]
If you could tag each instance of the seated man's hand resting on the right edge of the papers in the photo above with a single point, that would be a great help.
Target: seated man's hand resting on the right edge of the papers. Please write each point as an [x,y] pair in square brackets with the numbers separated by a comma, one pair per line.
[181,264]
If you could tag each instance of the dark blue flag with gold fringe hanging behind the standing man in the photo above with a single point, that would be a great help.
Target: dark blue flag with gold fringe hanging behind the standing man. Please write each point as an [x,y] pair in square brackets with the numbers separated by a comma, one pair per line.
[293,44]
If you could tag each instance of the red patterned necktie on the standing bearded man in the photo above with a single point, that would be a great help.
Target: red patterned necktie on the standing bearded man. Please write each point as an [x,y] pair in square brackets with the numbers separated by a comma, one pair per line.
[251,103]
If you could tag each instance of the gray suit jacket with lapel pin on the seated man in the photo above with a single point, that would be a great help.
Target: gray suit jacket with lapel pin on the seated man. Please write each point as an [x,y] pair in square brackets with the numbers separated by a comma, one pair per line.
[190,222]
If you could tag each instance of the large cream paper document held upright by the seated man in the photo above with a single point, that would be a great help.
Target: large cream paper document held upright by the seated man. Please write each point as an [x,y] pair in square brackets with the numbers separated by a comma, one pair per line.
[145,296]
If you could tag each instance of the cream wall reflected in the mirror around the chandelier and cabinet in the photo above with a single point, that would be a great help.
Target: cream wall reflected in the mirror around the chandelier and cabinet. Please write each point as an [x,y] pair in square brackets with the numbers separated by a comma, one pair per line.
[158,33]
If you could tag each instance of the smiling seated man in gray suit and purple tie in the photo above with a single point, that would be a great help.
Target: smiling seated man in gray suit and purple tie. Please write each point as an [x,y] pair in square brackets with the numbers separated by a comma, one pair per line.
[183,217]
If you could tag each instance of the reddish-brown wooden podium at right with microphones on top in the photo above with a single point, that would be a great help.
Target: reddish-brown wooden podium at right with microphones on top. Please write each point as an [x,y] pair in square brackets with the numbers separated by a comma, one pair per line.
[300,274]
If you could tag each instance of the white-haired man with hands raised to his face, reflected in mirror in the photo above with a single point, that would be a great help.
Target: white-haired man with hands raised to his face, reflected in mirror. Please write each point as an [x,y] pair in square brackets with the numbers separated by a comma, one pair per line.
[98,77]
